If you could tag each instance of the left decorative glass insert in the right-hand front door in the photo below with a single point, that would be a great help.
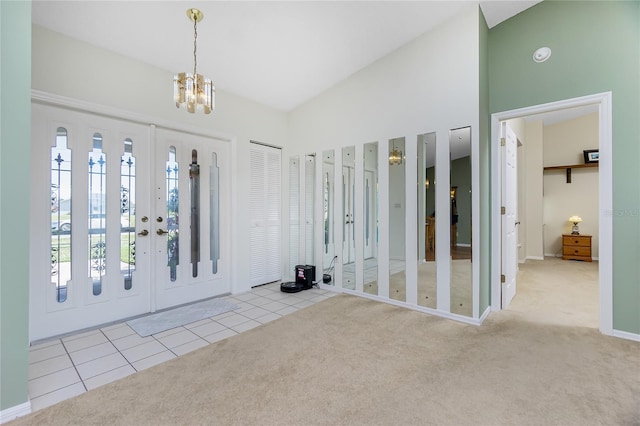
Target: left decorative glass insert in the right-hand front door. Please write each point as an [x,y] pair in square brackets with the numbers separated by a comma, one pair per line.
[173,201]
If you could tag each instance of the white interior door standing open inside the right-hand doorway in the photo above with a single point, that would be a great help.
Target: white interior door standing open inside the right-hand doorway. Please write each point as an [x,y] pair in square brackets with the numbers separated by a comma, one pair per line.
[510,206]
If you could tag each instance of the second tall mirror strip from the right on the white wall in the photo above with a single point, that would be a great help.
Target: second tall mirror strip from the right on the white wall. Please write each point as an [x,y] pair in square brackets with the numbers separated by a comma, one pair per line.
[426,220]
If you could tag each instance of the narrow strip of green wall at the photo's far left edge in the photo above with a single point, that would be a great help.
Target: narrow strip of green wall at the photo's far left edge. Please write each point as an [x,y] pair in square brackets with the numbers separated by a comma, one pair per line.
[15,142]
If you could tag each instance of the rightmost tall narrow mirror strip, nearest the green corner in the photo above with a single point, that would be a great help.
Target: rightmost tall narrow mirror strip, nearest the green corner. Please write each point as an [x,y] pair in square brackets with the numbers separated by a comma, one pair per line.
[460,210]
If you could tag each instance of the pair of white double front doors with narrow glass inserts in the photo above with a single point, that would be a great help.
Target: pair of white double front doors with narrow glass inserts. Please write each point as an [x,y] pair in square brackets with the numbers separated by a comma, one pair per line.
[96,205]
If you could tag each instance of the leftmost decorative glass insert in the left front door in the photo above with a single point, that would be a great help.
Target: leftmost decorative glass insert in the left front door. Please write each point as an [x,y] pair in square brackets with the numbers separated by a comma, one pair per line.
[61,215]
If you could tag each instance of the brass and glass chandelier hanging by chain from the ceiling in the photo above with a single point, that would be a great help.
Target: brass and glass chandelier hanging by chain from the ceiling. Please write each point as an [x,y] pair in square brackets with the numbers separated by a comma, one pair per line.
[194,91]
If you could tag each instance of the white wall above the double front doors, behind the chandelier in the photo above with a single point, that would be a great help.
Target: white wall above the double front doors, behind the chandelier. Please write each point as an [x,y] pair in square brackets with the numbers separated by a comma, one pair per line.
[68,67]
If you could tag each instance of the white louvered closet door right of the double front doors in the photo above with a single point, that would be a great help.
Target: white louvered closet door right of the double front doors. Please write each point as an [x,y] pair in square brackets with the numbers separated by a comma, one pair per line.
[265,215]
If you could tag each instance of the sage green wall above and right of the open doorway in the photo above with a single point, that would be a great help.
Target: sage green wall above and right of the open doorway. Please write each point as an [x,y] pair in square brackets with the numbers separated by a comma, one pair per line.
[595,48]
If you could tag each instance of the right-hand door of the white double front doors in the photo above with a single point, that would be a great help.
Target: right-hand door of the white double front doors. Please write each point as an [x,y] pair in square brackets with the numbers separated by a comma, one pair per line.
[191,206]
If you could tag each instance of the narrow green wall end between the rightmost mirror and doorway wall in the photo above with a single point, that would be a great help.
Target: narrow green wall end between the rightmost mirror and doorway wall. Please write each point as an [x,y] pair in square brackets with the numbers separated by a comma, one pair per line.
[484,126]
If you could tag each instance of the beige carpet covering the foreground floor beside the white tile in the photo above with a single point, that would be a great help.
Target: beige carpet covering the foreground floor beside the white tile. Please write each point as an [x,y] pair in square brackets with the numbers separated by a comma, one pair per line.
[353,361]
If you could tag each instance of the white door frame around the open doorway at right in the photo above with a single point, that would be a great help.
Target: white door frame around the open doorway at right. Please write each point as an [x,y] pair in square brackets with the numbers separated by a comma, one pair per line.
[605,177]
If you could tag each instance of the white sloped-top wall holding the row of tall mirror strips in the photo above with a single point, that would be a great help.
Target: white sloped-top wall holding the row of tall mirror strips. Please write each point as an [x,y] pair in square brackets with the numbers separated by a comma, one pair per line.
[429,85]
